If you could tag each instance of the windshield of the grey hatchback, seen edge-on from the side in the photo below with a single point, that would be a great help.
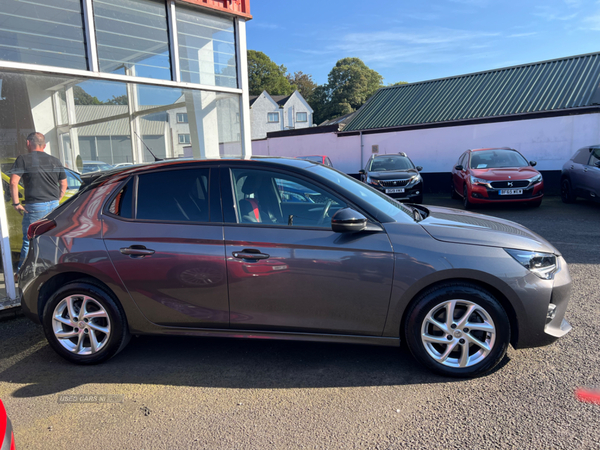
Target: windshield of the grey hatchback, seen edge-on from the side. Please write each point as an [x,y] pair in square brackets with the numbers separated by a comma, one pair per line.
[384,203]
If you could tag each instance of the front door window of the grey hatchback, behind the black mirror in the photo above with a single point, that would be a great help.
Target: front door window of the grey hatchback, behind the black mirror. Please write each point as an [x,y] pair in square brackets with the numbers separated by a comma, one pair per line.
[272,198]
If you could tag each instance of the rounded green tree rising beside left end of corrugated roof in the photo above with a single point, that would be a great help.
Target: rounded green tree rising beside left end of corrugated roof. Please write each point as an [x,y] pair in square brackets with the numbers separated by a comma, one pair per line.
[349,85]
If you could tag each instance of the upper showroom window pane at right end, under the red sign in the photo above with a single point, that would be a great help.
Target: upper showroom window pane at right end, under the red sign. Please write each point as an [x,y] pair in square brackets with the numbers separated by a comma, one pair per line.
[206,48]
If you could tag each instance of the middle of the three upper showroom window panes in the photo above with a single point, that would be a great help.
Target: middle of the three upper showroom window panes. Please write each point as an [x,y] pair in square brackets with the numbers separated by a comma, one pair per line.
[133,38]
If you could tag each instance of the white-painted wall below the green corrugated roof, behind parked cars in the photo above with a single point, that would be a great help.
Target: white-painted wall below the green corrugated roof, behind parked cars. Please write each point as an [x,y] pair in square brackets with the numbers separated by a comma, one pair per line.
[550,142]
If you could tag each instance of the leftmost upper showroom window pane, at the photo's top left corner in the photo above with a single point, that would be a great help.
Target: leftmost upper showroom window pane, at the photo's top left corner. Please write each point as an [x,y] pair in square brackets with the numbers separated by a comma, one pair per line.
[48,32]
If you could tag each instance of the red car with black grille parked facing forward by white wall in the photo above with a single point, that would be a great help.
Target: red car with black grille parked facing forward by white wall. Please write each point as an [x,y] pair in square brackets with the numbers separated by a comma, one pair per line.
[496,175]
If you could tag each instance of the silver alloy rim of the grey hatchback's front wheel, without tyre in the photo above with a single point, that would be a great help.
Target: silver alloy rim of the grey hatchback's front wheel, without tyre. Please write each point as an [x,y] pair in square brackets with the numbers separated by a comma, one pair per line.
[458,333]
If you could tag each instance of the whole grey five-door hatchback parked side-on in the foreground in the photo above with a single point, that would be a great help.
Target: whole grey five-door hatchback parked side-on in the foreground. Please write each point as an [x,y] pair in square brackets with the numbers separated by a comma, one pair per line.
[286,249]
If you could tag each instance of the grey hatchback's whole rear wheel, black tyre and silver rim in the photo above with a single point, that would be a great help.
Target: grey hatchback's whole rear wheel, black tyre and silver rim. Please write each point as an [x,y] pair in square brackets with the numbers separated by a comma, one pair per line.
[84,324]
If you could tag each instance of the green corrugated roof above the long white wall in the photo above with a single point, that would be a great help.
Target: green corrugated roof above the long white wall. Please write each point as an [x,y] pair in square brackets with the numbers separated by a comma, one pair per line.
[559,84]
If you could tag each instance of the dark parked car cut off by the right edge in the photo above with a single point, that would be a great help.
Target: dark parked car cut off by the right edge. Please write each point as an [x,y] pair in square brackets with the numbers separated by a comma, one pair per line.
[581,175]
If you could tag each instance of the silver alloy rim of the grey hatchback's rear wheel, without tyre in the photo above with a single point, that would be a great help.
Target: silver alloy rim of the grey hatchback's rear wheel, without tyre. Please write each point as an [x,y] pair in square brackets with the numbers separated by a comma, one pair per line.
[81,324]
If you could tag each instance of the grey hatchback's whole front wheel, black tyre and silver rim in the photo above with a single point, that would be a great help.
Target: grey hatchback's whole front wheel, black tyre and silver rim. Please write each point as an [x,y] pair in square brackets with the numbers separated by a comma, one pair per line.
[457,330]
